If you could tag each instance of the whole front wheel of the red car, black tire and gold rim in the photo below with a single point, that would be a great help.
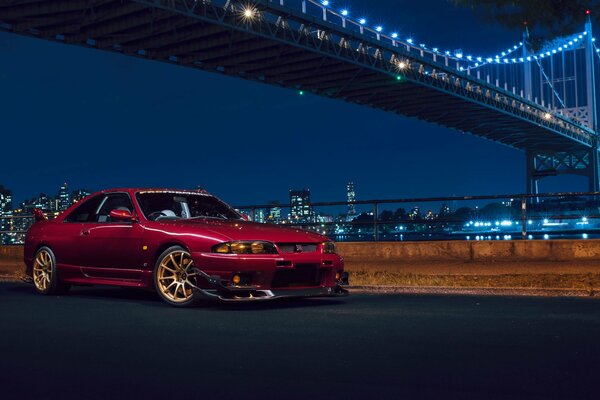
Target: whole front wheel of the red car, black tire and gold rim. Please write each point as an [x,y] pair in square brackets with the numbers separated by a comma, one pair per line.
[174,287]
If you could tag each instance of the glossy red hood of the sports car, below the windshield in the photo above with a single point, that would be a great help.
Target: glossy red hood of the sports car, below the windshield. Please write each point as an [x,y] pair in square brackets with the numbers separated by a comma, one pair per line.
[245,230]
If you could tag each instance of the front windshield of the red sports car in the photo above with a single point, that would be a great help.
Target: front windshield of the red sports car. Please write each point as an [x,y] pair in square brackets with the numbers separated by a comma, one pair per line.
[180,205]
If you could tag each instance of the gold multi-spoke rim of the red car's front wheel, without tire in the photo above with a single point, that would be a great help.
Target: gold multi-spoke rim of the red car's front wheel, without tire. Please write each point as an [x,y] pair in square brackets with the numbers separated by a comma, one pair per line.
[174,274]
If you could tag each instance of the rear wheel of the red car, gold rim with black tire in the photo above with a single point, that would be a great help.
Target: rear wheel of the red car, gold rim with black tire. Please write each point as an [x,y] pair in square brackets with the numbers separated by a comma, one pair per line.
[46,280]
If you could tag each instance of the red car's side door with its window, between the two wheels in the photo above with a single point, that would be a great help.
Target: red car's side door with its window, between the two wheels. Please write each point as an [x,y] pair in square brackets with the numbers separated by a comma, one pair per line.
[112,248]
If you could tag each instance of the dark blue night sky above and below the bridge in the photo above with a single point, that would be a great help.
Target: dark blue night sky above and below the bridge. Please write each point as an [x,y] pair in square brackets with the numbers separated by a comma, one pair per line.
[101,120]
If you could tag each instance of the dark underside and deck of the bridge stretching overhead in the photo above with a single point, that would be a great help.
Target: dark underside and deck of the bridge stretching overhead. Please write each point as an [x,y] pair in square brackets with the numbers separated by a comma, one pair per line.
[210,39]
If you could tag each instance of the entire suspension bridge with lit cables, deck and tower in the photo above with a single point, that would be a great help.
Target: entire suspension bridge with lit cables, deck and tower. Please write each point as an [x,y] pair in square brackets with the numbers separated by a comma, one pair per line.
[542,102]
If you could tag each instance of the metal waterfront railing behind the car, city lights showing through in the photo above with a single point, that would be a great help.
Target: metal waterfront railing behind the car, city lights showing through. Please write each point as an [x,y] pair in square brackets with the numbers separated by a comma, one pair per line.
[496,217]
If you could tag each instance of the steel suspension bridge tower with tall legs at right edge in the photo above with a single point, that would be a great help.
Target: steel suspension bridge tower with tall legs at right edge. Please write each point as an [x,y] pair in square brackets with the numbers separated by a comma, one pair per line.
[540,163]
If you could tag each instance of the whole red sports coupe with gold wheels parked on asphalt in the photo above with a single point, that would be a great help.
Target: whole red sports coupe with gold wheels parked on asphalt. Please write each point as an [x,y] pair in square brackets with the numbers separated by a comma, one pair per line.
[186,245]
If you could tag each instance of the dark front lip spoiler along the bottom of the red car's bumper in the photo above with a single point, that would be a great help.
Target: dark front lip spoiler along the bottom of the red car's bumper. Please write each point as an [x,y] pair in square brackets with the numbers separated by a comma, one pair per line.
[250,294]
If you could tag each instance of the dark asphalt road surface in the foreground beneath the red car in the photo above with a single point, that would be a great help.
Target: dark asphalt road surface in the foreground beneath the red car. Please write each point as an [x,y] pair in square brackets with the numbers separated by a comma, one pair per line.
[106,343]
